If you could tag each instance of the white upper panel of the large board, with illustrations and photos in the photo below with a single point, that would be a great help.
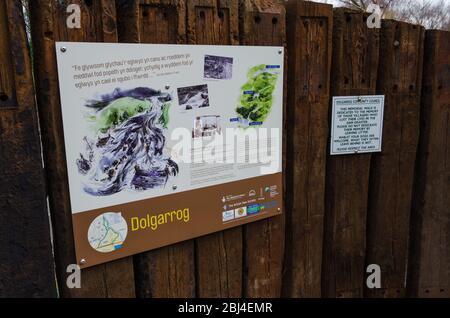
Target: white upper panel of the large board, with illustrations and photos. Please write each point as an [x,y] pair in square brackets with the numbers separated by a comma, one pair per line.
[146,98]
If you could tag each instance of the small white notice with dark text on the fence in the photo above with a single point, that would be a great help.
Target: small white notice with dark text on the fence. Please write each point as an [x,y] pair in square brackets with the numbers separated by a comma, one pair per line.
[357,124]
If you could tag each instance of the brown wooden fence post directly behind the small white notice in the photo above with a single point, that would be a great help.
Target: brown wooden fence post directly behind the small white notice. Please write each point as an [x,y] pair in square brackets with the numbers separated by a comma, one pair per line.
[354,73]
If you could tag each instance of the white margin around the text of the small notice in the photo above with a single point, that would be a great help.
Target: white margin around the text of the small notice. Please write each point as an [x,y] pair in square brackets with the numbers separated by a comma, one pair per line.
[356,99]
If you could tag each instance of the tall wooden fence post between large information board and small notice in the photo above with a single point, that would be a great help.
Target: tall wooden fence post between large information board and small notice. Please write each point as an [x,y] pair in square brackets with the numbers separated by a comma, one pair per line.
[309,32]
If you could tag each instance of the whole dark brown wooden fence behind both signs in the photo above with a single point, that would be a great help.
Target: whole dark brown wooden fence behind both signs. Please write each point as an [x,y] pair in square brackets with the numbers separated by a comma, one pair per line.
[341,212]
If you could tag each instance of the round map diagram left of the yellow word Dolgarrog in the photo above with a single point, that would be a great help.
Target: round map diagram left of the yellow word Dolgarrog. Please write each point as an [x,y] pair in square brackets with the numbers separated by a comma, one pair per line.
[107,232]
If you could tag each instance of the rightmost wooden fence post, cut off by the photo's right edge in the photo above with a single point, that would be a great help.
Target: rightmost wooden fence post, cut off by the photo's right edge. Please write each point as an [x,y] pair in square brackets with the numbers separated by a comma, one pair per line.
[429,262]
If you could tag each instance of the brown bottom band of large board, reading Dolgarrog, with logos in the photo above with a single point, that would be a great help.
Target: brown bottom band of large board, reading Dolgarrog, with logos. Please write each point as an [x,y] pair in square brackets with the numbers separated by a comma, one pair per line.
[118,231]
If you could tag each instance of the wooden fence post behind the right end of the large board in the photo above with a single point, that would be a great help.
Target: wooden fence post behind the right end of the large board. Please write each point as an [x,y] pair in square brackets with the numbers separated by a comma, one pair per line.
[262,22]
